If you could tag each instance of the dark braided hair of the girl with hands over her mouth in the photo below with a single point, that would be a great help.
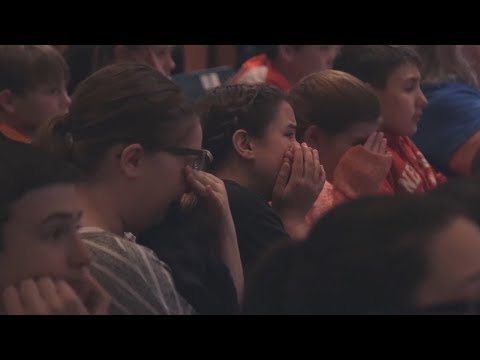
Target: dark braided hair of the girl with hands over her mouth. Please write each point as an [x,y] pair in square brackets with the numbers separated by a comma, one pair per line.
[229,108]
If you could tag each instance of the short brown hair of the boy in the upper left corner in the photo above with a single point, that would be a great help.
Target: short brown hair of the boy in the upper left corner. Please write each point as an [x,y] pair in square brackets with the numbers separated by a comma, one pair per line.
[24,67]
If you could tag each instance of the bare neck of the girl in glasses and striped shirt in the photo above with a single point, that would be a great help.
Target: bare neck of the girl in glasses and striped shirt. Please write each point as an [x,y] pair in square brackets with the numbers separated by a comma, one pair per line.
[99,208]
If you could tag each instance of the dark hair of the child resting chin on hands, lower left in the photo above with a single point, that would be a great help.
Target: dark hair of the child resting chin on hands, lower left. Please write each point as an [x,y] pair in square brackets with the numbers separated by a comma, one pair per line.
[23,169]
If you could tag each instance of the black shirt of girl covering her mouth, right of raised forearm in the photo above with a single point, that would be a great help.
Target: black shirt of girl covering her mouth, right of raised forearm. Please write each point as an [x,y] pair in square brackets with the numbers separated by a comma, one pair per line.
[257,225]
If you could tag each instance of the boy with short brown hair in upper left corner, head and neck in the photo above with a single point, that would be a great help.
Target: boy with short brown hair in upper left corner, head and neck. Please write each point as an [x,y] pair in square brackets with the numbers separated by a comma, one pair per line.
[33,82]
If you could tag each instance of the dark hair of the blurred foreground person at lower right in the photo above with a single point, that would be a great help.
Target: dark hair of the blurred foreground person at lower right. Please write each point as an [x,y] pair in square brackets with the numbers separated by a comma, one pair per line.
[365,256]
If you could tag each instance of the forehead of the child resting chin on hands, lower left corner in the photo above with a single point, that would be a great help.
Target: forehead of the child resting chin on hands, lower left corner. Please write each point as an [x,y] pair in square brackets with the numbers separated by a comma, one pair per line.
[39,203]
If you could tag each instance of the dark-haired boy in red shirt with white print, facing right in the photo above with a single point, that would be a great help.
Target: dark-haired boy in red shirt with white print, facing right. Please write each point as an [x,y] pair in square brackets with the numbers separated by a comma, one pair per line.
[393,72]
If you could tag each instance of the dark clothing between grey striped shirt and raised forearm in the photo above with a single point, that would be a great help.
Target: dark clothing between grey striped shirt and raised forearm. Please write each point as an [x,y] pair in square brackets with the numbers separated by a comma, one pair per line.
[199,275]
